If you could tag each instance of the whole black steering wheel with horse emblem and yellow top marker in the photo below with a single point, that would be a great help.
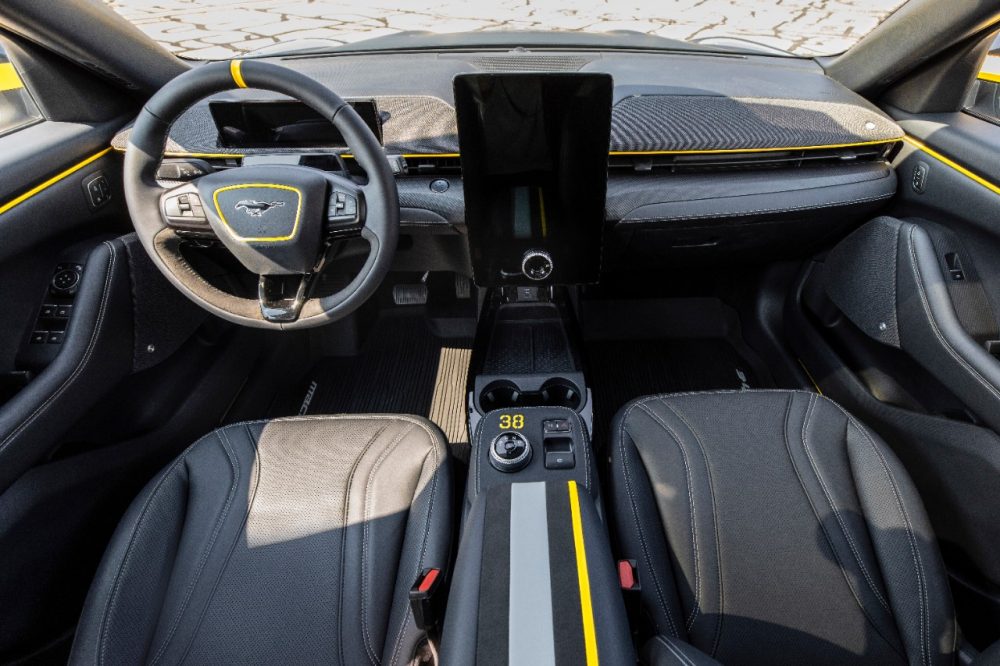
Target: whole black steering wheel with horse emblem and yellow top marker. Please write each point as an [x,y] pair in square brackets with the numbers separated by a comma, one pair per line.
[280,222]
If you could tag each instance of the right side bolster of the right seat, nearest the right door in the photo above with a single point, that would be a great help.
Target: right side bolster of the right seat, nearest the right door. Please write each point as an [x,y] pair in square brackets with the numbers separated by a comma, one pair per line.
[906,549]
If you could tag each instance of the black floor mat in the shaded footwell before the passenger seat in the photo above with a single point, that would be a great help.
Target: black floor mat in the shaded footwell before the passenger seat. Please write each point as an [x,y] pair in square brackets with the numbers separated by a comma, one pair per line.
[621,370]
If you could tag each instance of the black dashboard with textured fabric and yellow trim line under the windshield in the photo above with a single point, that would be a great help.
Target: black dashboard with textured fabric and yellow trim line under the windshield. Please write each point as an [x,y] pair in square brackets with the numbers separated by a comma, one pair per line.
[709,156]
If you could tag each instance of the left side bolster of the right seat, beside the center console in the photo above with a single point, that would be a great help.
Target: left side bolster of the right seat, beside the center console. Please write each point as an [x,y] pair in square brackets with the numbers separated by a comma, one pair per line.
[638,530]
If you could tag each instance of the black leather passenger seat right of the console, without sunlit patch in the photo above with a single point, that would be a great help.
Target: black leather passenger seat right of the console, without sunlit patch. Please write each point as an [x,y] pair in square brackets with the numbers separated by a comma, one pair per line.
[770,527]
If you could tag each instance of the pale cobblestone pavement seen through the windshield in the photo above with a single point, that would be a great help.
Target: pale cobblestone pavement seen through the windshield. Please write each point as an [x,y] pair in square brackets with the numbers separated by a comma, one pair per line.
[224,28]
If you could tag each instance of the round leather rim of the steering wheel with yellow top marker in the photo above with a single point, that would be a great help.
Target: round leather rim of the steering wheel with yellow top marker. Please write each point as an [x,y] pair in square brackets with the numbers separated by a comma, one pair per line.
[379,224]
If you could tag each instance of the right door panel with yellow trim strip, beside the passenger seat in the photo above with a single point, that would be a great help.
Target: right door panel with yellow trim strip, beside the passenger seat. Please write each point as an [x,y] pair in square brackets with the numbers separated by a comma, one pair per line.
[932,389]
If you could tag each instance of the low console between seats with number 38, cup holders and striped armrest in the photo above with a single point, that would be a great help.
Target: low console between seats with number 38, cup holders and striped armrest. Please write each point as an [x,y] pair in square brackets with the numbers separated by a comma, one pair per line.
[534,580]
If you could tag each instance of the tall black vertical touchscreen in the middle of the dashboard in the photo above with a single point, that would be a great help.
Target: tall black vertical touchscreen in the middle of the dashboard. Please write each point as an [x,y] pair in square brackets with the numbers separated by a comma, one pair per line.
[534,151]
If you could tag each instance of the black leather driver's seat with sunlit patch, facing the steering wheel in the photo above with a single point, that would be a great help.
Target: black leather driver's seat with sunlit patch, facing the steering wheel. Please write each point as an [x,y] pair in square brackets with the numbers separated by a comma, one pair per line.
[289,541]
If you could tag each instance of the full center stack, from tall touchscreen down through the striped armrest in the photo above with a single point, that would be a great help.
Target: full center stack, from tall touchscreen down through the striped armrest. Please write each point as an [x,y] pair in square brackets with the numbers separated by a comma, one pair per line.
[534,580]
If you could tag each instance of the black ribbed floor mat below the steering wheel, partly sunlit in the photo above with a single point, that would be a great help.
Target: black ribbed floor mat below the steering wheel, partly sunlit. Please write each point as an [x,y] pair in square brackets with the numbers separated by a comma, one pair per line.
[403,369]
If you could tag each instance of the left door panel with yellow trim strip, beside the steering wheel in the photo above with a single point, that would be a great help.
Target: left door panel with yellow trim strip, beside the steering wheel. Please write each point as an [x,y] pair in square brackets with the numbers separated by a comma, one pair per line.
[106,373]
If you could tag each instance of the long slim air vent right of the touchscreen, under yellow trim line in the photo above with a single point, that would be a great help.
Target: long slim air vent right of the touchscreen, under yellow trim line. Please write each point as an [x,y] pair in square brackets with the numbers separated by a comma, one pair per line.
[751,161]
